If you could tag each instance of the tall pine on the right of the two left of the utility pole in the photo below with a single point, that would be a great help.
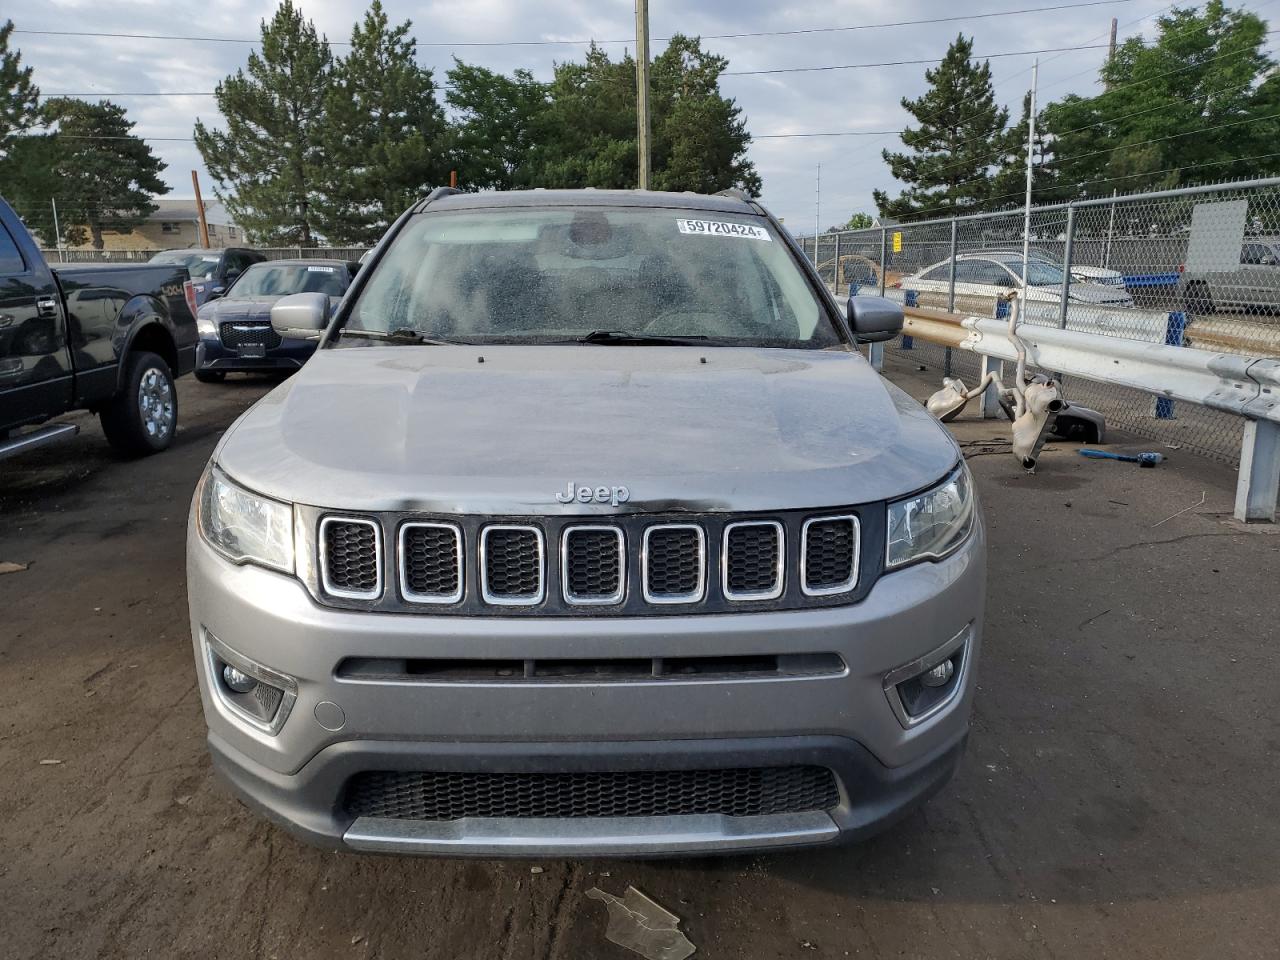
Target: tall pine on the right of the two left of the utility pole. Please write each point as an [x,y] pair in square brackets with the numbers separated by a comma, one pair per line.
[386,140]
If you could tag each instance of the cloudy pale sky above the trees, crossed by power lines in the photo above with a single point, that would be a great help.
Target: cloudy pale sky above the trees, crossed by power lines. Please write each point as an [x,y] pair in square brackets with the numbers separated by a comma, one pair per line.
[826,102]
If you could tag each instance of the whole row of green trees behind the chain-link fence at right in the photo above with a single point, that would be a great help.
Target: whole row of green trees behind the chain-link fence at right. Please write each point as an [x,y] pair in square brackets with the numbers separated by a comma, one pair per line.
[1199,103]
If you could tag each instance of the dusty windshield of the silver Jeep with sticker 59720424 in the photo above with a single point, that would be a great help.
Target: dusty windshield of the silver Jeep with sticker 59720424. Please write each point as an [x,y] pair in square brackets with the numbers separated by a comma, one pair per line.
[546,276]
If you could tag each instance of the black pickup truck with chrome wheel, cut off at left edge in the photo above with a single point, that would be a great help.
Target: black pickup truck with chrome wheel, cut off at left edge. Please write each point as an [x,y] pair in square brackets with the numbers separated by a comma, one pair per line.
[109,339]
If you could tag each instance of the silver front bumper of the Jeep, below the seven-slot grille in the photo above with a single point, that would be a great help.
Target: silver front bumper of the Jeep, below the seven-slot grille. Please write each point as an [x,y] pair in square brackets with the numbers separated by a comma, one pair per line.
[844,723]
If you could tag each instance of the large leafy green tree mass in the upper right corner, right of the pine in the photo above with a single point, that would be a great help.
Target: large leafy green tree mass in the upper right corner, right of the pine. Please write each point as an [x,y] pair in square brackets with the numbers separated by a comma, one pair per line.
[1204,95]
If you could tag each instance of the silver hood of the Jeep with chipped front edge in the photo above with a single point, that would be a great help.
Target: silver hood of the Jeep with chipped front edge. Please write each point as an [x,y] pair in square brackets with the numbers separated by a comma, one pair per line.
[436,429]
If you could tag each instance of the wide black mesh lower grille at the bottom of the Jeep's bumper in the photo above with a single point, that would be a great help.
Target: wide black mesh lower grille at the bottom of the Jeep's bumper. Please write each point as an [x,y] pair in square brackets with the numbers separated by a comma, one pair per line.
[744,792]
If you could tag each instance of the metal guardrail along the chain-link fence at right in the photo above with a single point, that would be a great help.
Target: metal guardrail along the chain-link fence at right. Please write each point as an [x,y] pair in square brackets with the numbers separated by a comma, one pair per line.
[1236,385]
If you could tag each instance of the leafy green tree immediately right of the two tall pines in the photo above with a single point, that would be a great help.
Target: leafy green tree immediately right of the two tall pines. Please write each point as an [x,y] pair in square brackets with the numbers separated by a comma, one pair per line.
[495,122]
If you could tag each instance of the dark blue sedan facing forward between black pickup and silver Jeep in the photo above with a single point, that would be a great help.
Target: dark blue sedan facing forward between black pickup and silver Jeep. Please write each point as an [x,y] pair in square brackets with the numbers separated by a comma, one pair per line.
[236,332]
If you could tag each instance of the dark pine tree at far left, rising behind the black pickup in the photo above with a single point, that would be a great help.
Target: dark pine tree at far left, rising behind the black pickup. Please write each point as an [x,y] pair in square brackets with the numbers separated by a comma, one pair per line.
[103,175]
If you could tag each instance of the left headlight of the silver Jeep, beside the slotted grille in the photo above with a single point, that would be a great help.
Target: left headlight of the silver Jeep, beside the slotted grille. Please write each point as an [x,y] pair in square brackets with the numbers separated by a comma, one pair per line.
[244,527]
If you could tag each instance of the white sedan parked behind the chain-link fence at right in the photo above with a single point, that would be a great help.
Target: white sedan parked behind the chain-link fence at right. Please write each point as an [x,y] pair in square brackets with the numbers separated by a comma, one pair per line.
[989,276]
